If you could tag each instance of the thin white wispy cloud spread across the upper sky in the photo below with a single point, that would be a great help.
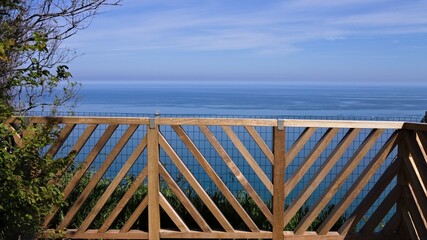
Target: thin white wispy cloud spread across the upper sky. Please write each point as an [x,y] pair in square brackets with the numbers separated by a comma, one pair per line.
[265,28]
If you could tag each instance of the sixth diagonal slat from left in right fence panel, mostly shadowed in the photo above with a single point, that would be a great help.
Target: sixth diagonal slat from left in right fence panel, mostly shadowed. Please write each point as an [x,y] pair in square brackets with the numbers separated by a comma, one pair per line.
[371,197]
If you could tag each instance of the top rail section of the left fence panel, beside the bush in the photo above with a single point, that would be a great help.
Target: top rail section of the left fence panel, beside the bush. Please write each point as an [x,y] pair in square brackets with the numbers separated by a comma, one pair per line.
[90,120]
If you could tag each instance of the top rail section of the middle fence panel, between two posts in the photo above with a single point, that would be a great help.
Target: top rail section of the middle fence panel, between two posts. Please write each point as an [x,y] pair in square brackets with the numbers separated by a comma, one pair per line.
[217,121]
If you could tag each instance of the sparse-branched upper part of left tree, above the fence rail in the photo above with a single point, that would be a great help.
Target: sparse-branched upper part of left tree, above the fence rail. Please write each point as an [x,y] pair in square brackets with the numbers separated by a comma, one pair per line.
[33,71]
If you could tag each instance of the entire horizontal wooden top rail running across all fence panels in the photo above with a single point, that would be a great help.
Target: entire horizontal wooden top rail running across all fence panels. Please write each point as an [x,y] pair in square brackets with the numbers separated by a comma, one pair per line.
[226,122]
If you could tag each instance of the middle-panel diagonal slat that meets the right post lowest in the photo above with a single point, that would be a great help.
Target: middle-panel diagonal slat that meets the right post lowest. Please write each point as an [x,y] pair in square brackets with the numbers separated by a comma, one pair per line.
[237,173]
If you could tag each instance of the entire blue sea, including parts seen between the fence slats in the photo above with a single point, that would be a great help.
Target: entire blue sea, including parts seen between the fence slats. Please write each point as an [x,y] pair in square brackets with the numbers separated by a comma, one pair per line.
[258,100]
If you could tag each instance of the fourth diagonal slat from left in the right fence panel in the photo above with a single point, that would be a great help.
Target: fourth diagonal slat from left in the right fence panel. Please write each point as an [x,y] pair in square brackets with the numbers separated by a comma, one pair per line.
[345,172]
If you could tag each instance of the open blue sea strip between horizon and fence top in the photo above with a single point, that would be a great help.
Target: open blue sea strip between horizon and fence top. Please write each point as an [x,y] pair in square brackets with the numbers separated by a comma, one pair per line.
[240,98]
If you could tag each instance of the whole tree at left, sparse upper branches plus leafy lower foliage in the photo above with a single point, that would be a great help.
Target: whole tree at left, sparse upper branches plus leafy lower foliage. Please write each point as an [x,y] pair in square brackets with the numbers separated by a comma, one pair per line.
[34,74]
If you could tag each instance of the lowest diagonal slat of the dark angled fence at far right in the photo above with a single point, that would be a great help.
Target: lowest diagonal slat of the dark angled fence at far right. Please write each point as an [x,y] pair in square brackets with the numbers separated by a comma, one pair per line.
[413,207]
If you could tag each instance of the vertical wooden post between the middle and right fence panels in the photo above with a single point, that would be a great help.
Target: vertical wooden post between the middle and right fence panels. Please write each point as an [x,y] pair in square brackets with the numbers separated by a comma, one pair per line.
[278,180]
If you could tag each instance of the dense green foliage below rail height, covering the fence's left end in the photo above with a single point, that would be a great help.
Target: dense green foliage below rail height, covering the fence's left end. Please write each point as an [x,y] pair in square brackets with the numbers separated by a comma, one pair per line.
[28,183]
